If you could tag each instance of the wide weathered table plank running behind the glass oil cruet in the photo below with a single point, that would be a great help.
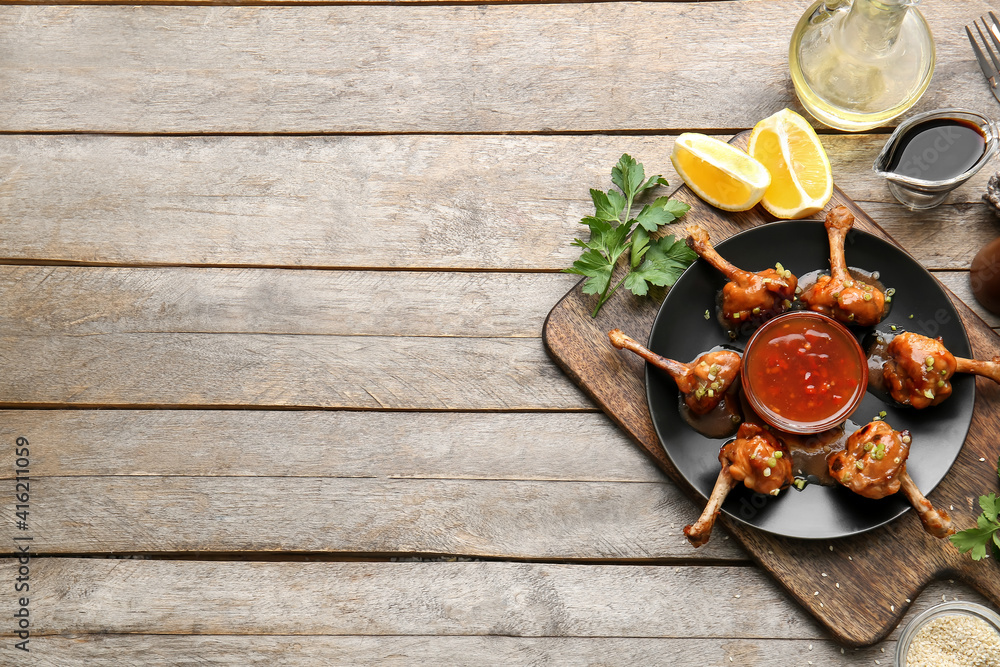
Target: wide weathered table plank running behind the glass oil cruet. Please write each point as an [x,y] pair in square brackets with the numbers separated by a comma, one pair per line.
[575,67]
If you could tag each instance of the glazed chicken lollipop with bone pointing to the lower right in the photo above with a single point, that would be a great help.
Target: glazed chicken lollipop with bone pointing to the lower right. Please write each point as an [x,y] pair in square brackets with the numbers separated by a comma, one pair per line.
[873,465]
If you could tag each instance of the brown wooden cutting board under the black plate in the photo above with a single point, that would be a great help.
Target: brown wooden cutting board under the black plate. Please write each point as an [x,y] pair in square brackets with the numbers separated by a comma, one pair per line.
[878,570]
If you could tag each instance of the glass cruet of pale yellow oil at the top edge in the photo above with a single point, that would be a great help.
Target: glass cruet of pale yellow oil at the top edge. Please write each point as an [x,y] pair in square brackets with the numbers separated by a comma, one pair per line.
[857,64]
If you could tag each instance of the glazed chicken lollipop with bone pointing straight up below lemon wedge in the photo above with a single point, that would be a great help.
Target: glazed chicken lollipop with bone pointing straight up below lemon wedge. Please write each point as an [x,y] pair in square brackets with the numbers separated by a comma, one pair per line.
[839,295]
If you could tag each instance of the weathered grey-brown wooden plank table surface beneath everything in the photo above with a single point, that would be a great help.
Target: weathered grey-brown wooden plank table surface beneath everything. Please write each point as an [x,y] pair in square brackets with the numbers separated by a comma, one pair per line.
[272,285]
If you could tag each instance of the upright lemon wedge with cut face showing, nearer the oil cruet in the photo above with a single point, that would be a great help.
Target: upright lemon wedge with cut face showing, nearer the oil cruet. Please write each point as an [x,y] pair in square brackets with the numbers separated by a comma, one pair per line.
[801,179]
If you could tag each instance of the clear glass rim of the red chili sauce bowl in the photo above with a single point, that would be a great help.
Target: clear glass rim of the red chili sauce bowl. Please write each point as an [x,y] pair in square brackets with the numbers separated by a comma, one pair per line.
[788,426]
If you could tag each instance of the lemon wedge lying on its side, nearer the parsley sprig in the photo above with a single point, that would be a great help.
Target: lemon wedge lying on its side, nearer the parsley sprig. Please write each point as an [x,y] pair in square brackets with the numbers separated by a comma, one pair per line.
[719,173]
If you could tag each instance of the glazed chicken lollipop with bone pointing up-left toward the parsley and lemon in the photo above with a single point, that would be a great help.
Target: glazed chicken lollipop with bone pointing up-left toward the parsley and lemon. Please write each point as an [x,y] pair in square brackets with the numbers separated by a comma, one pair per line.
[747,296]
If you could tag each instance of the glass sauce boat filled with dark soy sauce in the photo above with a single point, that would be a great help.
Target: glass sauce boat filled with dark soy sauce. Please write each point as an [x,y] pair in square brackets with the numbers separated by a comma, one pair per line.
[932,153]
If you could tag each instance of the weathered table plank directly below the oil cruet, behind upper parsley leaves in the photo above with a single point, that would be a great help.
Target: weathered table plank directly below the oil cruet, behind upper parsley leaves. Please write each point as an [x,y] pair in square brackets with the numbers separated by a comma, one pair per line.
[372,201]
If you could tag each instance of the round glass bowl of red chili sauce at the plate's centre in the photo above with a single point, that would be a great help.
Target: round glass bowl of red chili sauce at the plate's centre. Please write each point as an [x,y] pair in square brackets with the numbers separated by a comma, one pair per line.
[803,372]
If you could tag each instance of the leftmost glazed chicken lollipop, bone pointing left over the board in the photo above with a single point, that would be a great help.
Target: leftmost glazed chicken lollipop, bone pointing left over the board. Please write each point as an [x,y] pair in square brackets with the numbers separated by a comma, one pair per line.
[704,382]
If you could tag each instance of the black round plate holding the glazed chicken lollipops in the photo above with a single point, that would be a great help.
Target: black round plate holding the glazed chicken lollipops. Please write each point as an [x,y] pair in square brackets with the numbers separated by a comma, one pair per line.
[920,305]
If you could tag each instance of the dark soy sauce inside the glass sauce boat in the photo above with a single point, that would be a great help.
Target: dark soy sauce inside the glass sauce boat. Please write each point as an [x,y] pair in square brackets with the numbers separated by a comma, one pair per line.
[938,149]
